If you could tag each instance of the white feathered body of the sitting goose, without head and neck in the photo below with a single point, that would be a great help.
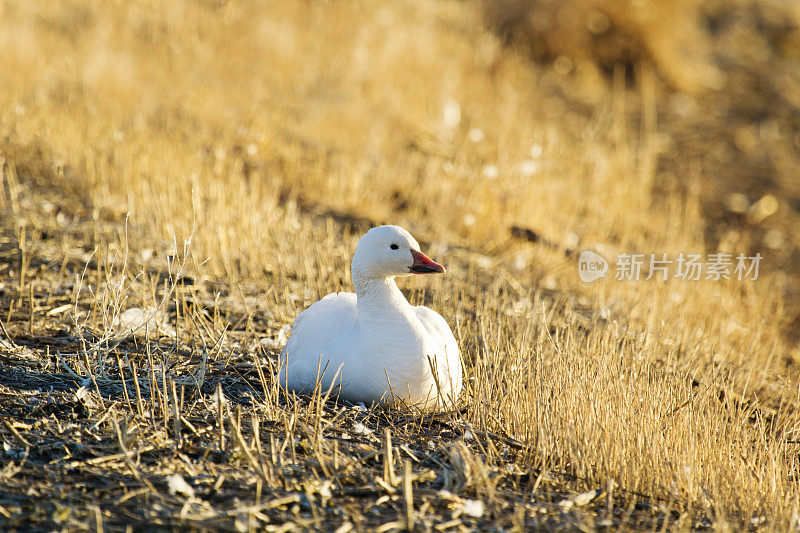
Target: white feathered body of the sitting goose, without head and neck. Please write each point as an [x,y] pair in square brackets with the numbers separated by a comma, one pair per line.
[399,353]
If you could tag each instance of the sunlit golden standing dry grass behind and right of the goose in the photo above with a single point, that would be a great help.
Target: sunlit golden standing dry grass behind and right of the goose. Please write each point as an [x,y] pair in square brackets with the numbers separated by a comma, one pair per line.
[253,128]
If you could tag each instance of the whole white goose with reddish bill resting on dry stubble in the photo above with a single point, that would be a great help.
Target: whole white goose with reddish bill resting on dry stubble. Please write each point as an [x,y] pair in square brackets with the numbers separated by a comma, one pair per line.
[373,346]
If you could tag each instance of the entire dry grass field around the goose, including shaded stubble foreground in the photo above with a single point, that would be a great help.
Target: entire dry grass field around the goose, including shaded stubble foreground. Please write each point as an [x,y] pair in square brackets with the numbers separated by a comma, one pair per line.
[214,163]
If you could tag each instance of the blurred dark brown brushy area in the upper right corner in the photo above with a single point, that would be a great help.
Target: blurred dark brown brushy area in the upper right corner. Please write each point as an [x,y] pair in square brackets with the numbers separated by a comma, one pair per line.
[725,92]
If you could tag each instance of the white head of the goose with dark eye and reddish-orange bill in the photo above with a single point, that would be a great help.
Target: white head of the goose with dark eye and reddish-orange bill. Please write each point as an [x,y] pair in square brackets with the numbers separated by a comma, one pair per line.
[390,251]
